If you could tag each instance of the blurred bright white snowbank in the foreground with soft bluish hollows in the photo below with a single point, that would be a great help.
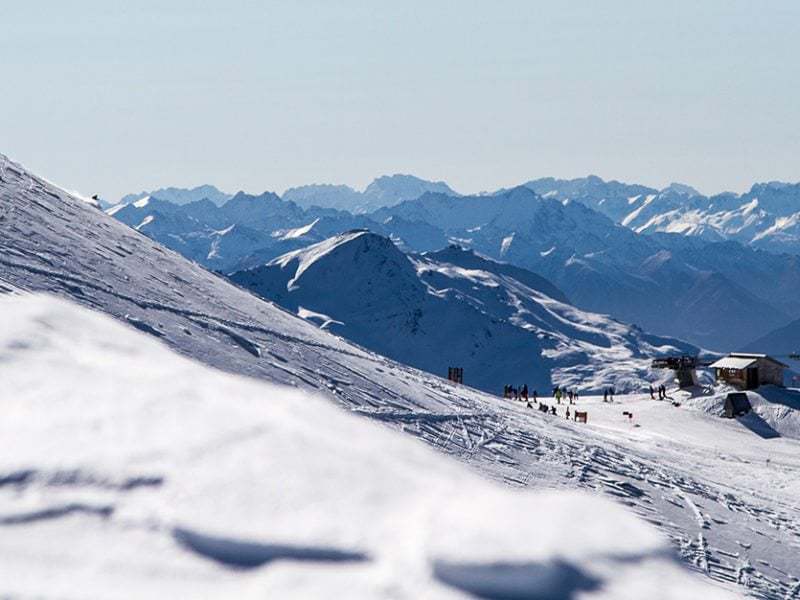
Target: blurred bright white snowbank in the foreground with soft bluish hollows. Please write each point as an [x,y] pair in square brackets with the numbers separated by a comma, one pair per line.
[128,471]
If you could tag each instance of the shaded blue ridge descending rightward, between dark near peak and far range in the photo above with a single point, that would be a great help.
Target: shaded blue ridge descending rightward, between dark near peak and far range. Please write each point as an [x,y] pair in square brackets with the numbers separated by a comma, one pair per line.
[668,284]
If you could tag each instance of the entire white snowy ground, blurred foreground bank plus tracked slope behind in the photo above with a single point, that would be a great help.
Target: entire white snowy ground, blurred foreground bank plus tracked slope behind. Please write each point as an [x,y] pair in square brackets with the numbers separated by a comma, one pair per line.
[120,446]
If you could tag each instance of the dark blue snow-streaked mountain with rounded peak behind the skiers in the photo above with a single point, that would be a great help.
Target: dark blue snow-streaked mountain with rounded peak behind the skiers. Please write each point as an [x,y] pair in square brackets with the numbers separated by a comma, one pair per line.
[500,323]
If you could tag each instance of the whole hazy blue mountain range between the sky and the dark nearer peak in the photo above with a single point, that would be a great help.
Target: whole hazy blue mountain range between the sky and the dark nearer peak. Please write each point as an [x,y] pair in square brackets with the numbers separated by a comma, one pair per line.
[613,248]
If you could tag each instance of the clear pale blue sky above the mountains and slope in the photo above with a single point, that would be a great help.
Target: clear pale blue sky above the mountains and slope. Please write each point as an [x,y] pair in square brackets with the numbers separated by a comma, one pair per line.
[101,96]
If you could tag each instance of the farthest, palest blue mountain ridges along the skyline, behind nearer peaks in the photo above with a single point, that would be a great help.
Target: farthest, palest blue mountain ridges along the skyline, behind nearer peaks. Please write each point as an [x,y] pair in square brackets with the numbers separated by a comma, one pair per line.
[766,217]
